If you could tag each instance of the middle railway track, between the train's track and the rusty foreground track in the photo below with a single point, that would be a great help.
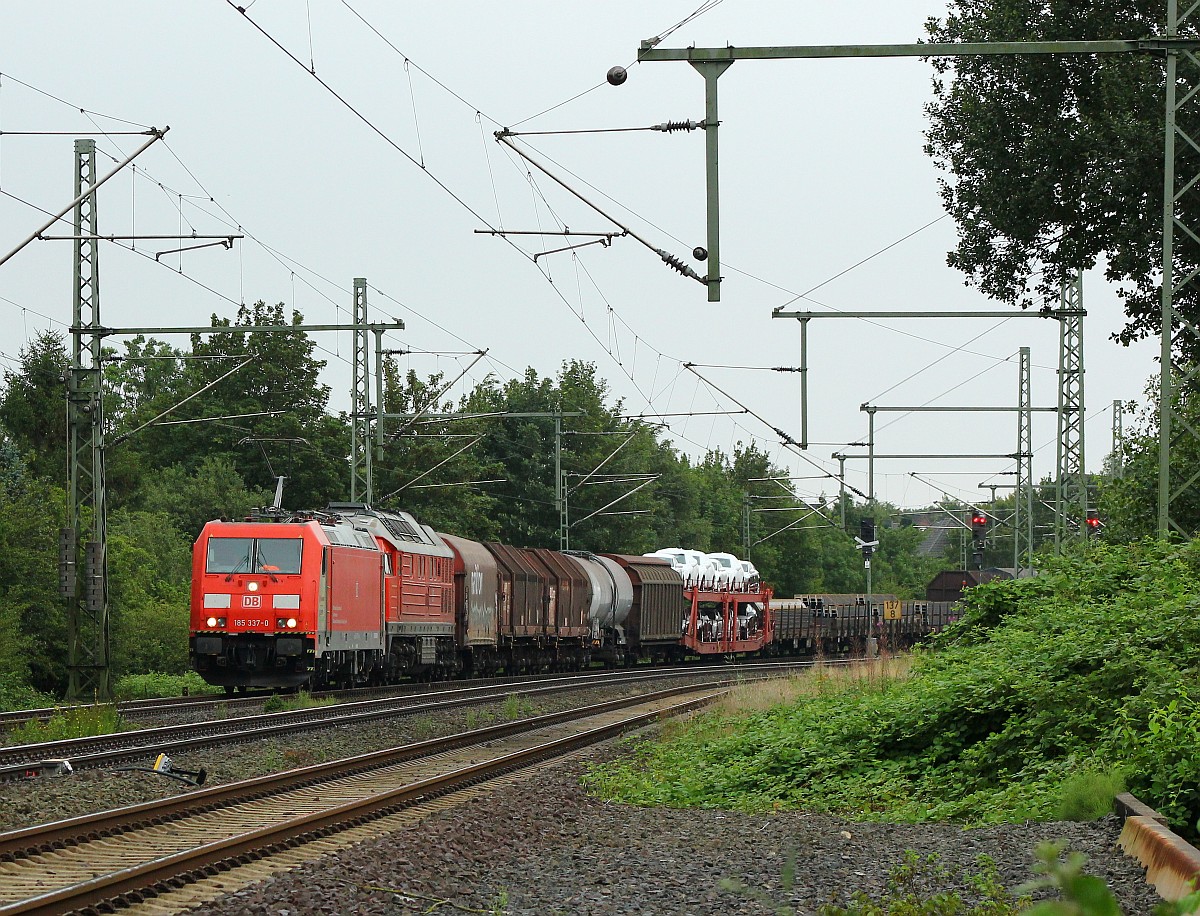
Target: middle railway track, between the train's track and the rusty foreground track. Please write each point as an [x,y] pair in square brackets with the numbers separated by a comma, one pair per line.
[129,747]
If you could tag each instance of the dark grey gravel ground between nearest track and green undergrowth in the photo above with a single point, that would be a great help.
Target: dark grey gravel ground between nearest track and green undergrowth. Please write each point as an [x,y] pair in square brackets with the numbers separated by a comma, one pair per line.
[544,847]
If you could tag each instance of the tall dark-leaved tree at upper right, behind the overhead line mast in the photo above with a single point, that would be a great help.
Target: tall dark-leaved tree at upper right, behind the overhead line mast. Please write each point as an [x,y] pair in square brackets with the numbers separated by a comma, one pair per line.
[1057,161]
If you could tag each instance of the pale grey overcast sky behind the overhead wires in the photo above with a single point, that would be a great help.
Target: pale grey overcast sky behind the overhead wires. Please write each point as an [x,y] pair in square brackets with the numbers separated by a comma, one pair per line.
[821,167]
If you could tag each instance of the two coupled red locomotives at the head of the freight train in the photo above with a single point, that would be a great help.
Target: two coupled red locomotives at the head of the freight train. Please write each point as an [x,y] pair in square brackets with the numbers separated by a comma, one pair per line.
[343,597]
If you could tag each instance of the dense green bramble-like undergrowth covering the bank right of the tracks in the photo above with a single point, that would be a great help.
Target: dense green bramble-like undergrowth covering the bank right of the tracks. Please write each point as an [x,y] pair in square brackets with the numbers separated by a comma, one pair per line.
[1037,703]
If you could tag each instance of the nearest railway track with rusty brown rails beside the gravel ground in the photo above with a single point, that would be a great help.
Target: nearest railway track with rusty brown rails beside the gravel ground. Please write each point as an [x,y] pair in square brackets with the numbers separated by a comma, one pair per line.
[170,851]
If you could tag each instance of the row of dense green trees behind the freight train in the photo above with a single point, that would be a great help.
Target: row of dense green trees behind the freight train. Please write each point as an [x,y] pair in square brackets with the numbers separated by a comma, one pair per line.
[202,433]
